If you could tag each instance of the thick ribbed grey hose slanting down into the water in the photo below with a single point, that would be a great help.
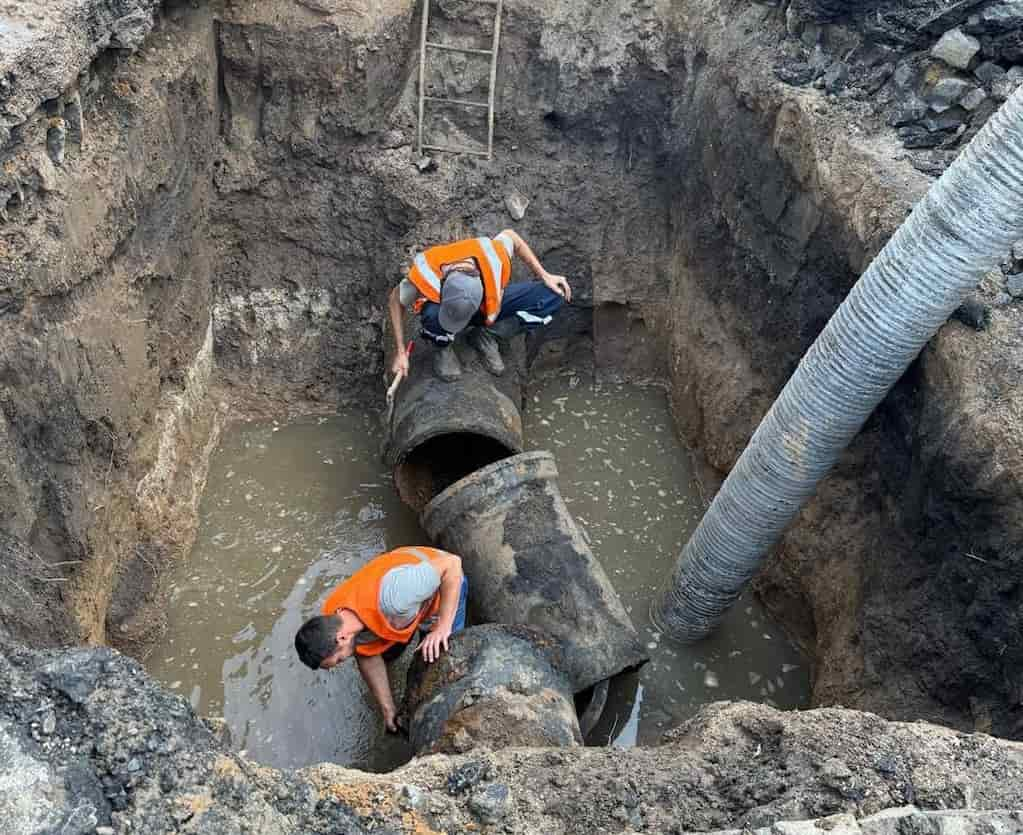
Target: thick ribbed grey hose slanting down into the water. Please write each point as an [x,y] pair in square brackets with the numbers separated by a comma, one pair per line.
[960,231]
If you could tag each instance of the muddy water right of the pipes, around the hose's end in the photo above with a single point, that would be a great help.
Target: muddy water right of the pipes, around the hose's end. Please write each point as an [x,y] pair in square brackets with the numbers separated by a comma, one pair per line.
[633,488]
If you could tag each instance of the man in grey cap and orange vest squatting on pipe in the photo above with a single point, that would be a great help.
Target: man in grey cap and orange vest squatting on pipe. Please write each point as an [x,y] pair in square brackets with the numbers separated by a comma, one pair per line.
[456,286]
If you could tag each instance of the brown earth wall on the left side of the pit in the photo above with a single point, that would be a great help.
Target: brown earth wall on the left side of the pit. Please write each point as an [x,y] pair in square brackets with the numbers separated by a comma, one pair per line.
[105,350]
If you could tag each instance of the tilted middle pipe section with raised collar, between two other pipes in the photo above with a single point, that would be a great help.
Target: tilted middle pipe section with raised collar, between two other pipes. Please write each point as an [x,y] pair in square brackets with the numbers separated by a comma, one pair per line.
[528,563]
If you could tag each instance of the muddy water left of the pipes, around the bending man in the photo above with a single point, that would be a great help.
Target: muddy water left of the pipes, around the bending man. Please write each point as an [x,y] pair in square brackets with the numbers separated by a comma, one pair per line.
[289,512]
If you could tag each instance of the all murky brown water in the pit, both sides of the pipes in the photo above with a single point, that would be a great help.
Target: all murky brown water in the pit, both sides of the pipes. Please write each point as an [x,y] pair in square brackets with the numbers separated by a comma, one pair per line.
[291,511]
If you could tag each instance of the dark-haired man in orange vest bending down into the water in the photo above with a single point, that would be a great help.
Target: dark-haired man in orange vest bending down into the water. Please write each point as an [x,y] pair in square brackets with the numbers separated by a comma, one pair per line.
[376,612]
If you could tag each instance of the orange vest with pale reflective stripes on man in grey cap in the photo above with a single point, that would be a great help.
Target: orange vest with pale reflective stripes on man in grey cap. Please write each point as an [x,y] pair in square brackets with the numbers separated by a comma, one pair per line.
[493,258]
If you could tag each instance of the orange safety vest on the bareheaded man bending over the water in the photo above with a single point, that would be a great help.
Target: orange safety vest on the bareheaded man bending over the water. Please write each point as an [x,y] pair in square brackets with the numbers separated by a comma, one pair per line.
[362,594]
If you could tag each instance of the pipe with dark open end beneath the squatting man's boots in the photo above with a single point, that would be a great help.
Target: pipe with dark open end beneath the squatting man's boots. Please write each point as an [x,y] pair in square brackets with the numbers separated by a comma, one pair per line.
[441,432]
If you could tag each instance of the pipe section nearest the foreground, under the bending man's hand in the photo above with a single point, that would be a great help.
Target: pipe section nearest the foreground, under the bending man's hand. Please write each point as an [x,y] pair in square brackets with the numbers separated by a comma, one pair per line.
[498,686]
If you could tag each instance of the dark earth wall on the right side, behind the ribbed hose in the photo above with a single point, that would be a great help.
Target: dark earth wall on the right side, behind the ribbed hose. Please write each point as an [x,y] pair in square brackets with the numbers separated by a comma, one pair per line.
[893,576]
